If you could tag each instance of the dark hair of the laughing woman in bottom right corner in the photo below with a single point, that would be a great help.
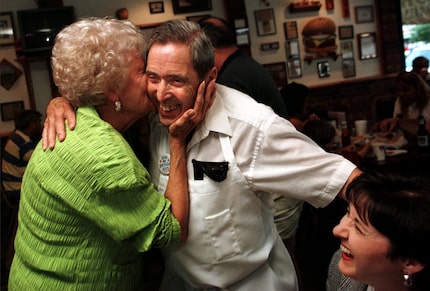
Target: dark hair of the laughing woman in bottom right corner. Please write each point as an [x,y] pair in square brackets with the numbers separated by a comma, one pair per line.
[399,208]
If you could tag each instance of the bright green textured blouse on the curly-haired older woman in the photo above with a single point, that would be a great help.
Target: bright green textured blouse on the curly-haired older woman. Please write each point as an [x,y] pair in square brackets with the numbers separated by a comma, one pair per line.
[87,209]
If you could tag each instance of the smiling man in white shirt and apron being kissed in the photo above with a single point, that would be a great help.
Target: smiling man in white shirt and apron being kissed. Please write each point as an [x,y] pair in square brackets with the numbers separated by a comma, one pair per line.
[240,154]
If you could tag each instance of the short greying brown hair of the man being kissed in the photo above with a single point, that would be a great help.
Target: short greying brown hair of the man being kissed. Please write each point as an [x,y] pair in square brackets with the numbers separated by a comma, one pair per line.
[186,33]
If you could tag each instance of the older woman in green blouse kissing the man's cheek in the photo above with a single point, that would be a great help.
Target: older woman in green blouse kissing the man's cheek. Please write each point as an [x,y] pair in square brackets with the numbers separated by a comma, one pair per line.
[88,208]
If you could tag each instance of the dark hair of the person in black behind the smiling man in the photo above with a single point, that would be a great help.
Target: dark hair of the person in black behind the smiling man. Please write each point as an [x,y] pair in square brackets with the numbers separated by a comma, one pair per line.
[220,32]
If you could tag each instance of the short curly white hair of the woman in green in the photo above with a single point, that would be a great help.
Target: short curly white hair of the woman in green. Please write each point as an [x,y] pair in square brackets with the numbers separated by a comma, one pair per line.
[91,57]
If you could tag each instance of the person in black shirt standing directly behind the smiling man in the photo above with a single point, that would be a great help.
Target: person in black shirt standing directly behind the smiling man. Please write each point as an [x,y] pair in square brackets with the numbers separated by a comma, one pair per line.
[237,69]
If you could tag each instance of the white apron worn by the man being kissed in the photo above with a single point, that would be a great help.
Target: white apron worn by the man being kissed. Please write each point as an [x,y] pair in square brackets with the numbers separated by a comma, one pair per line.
[232,241]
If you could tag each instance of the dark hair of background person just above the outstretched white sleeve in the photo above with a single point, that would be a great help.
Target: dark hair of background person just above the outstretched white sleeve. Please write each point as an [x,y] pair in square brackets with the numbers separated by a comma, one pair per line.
[320,131]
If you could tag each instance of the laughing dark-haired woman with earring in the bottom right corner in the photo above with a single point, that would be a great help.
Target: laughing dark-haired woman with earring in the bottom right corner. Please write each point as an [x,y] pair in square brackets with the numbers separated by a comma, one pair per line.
[384,236]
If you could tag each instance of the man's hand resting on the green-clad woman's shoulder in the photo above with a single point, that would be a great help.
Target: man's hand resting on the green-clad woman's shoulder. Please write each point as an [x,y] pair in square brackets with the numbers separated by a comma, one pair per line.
[58,110]
